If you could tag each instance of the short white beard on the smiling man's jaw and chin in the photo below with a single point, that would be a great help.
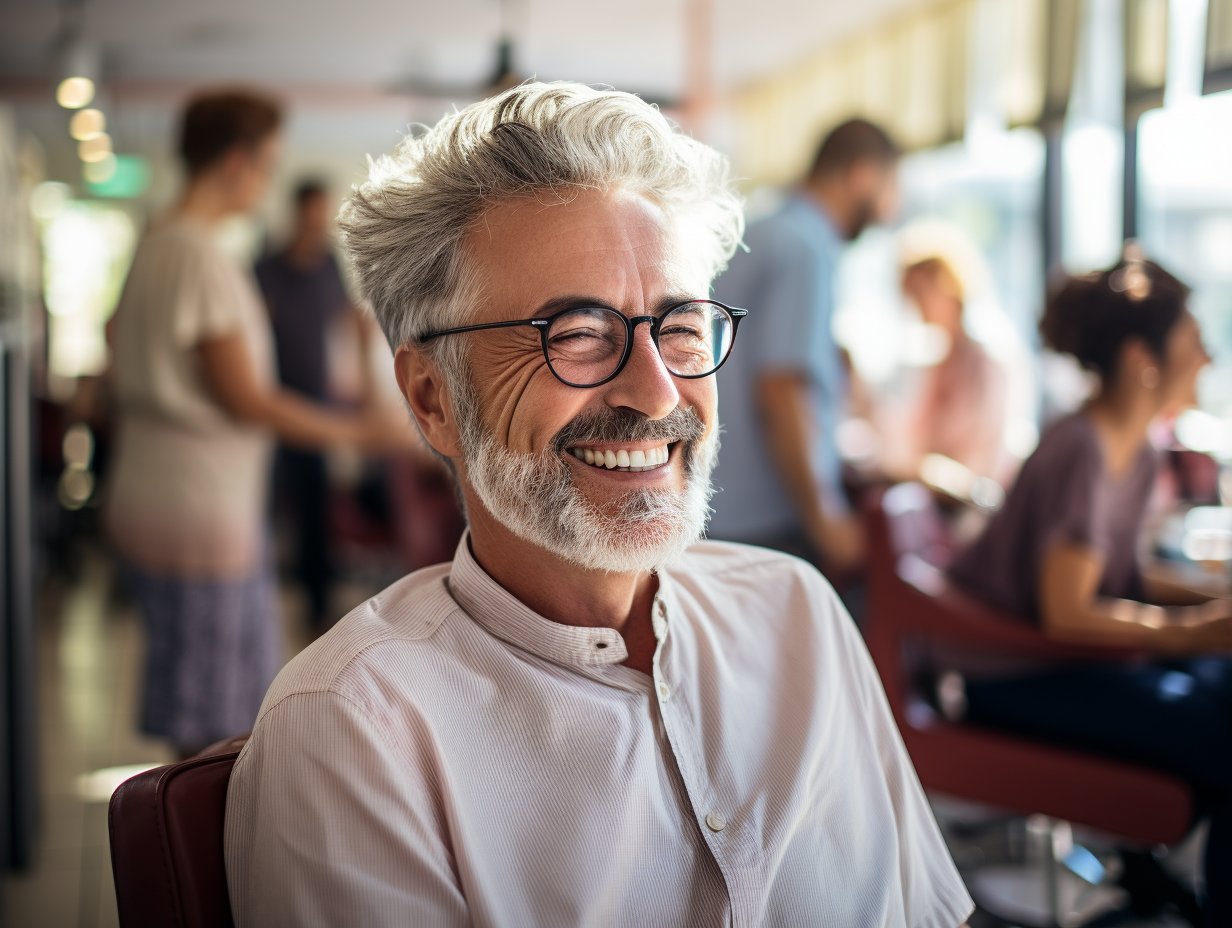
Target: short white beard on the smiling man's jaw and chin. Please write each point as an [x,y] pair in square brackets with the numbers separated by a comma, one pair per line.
[534,496]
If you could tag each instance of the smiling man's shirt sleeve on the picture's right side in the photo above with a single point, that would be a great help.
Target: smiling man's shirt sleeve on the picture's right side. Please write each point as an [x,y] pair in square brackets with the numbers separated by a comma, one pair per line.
[933,893]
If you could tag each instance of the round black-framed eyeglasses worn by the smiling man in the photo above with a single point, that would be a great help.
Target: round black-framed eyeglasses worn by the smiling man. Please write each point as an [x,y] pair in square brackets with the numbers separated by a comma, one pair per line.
[590,346]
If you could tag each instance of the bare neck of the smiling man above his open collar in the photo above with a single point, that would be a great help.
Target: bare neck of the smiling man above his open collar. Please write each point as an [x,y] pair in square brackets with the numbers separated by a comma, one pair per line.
[564,592]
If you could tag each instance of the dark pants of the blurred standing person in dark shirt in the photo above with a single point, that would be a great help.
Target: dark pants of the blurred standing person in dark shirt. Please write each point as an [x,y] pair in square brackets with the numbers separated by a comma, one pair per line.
[304,487]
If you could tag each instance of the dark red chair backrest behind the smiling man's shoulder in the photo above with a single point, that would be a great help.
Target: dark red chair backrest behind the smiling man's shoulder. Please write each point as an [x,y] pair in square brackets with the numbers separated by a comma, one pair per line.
[167,842]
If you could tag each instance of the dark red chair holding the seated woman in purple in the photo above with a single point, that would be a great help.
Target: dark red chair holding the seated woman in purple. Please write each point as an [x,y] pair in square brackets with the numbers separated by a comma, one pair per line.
[911,601]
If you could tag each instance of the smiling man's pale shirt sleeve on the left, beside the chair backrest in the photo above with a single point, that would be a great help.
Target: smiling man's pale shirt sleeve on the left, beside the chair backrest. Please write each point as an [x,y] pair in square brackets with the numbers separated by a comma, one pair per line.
[328,825]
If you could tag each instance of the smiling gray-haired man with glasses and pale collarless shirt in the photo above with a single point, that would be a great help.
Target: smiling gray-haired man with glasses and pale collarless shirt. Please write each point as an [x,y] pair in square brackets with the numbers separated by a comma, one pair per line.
[590,717]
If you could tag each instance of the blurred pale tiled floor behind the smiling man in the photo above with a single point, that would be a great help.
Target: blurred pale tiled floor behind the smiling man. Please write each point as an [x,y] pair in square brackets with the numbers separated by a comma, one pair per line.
[89,672]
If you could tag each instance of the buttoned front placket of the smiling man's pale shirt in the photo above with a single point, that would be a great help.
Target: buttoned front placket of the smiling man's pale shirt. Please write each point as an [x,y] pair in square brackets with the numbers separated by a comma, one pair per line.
[710,813]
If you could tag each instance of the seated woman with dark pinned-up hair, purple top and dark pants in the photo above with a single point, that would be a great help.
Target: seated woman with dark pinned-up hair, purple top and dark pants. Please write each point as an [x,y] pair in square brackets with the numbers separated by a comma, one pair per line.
[1064,553]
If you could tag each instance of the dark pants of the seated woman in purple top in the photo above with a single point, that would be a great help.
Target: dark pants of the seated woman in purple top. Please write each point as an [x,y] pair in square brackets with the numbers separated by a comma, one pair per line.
[1173,717]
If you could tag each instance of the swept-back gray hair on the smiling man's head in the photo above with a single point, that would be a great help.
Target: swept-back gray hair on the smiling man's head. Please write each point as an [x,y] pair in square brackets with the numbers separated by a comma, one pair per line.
[405,227]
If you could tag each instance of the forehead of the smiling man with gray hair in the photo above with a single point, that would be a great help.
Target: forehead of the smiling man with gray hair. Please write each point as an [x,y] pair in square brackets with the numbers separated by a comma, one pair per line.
[615,246]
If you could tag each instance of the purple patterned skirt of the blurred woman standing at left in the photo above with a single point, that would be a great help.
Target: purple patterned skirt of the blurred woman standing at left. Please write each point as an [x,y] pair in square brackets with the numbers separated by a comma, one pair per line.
[214,649]
